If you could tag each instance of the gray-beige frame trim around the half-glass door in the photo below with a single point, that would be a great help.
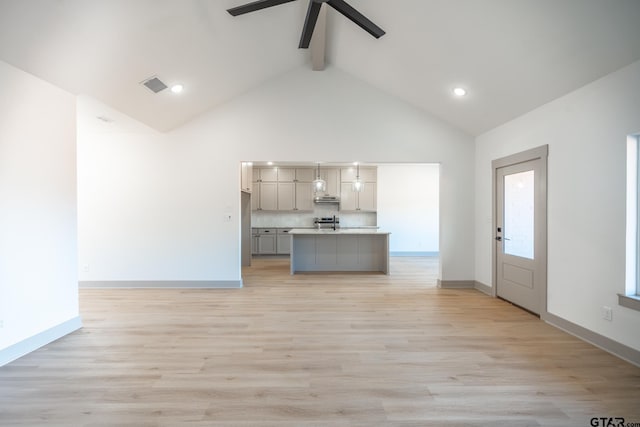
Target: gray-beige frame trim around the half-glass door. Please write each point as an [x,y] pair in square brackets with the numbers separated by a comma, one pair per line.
[539,153]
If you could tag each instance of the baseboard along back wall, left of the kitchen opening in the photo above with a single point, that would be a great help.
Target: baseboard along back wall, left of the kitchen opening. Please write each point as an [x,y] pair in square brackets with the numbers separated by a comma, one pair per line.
[162,284]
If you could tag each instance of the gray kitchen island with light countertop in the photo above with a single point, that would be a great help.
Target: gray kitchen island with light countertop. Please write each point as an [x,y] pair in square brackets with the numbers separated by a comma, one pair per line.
[328,250]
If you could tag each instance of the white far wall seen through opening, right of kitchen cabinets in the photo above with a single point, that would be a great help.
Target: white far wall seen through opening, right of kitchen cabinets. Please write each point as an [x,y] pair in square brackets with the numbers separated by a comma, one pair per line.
[408,205]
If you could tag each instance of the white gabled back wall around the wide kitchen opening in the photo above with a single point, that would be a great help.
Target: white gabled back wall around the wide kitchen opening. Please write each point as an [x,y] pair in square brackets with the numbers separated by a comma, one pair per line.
[151,206]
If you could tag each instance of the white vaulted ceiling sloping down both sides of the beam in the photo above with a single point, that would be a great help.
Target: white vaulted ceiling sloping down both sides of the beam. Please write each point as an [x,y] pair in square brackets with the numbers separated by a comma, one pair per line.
[512,55]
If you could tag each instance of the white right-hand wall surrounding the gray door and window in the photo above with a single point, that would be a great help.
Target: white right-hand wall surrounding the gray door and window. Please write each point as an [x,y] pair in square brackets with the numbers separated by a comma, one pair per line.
[587,135]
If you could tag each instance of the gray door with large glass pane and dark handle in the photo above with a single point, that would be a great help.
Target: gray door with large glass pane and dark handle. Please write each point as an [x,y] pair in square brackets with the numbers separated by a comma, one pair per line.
[520,234]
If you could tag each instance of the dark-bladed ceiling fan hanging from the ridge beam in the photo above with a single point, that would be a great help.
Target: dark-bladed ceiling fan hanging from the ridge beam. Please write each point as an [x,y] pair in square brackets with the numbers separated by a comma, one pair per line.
[312,16]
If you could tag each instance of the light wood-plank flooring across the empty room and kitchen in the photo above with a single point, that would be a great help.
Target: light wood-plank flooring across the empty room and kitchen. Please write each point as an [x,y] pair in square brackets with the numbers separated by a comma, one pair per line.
[315,350]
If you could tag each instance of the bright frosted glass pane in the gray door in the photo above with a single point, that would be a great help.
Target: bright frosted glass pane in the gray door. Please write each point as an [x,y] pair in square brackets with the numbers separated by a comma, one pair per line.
[518,214]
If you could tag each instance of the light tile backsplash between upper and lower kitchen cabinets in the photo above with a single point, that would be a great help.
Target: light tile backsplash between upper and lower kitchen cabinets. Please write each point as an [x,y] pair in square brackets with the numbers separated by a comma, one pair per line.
[266,219]
